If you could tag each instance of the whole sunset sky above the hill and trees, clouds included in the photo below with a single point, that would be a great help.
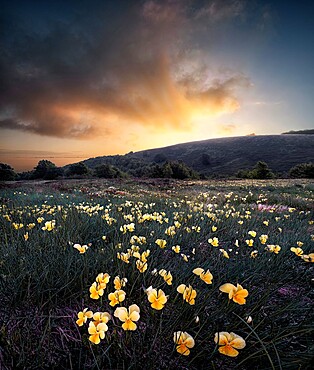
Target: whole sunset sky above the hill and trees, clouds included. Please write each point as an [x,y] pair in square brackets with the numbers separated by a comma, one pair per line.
[81,79]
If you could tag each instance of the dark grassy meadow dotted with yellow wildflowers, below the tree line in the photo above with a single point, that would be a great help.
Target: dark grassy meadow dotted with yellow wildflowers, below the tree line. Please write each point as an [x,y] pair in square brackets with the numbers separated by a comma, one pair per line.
[157,275]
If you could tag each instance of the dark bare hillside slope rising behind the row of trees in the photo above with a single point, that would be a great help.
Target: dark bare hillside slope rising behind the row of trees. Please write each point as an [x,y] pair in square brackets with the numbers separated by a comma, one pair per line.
[223,156]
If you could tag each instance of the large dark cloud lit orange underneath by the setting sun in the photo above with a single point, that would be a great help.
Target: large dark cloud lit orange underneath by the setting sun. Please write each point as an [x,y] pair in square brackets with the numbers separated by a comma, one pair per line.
[86,75]
